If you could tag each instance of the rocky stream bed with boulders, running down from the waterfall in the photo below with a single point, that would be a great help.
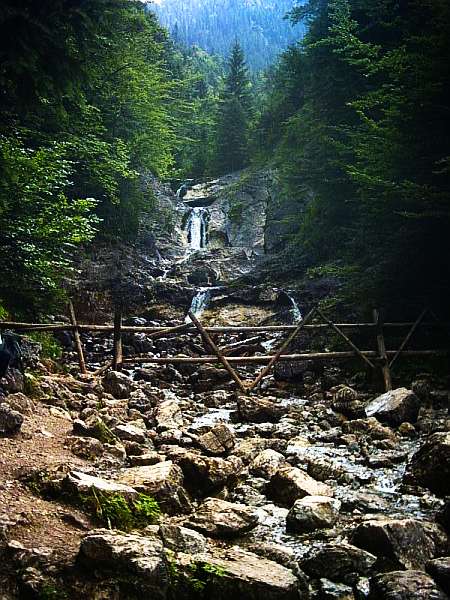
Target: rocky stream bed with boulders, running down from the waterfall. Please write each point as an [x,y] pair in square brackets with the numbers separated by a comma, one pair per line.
[166,483]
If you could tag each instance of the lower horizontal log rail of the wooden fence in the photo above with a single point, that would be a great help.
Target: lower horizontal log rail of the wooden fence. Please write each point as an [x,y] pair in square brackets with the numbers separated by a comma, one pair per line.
[263,360]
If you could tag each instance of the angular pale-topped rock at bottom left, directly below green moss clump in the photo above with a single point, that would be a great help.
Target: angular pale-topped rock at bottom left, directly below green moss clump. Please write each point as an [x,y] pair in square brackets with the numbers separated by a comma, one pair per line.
[137,560]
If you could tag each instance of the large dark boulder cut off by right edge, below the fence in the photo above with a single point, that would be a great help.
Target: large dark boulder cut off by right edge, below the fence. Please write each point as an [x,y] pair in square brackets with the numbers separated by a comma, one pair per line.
[430,465]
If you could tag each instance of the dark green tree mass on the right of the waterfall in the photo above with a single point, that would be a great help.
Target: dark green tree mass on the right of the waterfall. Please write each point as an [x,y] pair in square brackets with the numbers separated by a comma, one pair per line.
[357,114]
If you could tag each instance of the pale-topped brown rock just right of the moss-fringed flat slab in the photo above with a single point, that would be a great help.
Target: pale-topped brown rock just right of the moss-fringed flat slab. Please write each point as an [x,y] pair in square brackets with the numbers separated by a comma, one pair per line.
[163,481]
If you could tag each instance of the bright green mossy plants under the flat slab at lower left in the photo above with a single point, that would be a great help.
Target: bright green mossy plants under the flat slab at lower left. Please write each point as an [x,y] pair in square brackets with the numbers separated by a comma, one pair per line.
[118,512]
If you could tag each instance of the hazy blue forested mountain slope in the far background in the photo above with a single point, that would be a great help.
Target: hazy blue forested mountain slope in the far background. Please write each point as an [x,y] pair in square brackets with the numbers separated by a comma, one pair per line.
[214,25]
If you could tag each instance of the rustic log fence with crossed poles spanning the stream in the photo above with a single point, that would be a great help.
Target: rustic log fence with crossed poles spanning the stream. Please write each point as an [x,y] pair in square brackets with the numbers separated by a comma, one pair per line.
[381,359]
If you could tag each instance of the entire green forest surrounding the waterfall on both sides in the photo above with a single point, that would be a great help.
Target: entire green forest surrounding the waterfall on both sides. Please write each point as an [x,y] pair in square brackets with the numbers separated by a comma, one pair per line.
[353,117]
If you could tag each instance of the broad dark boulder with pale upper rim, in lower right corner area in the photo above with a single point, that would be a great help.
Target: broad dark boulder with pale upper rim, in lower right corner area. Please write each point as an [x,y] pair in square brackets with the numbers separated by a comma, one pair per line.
[400,543]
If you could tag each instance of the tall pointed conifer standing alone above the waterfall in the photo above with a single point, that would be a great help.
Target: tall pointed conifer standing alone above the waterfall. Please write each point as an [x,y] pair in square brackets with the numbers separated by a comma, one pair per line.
[233,116]
